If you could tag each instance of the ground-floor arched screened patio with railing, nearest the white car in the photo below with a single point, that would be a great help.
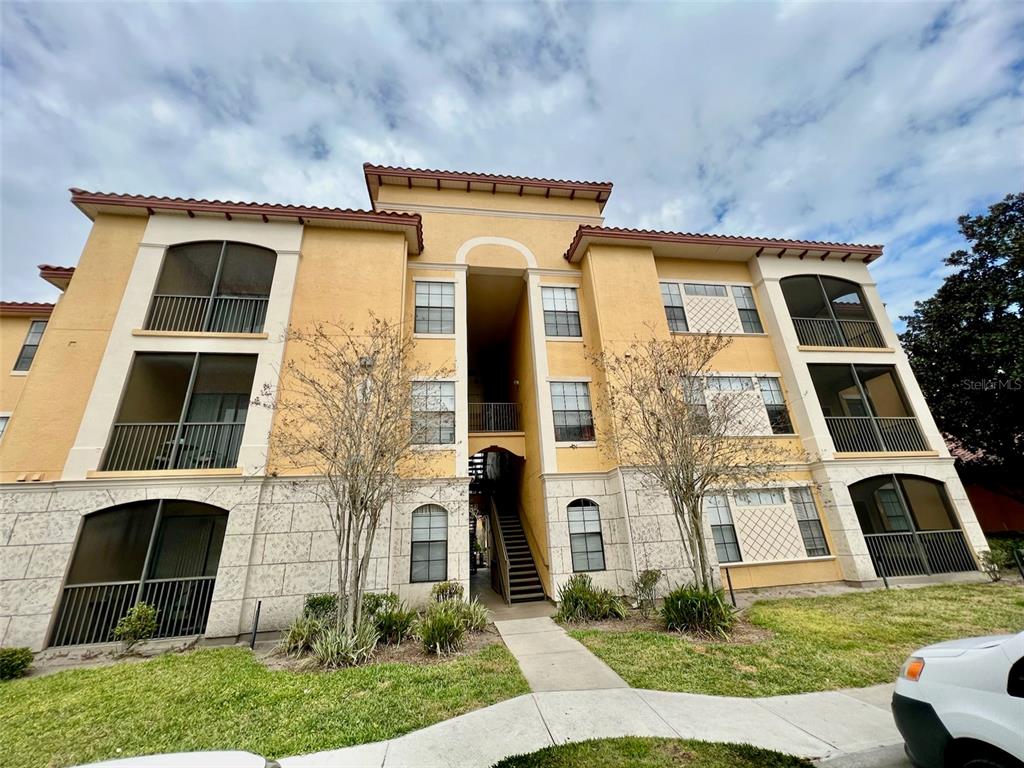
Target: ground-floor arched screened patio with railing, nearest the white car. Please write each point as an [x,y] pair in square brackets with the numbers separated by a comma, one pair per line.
[910,527]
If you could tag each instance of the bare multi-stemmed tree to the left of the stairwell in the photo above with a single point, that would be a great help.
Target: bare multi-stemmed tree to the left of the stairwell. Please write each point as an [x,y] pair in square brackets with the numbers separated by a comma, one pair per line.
[344,415]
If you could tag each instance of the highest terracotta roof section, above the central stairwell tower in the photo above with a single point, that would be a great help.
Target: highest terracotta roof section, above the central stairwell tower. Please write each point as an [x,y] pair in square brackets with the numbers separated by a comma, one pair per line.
[378,176]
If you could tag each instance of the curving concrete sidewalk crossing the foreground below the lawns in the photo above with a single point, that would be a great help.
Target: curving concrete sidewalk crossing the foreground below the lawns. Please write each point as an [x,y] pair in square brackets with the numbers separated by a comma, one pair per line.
[813,726]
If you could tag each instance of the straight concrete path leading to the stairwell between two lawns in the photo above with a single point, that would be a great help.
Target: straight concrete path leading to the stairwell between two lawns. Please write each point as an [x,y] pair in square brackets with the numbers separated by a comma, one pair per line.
[550,660]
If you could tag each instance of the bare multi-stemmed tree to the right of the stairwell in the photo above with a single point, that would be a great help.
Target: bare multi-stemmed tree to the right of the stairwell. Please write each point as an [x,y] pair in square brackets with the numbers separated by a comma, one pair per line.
[685,429]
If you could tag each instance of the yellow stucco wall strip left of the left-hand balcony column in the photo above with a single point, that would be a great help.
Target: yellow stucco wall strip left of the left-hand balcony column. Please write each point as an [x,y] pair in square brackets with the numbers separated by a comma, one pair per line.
[51,410]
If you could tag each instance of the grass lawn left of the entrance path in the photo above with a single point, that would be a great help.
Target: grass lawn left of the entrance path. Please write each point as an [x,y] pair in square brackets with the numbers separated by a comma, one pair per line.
[226,699]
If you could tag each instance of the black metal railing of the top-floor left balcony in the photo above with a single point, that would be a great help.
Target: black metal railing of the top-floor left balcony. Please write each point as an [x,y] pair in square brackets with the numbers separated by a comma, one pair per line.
[241,315]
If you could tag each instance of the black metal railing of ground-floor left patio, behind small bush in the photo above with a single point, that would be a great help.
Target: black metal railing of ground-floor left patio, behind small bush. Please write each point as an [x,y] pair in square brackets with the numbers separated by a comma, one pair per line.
[90,613]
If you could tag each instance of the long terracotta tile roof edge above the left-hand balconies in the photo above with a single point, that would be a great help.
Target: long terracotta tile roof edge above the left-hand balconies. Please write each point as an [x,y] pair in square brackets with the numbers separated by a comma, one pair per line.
[409,224]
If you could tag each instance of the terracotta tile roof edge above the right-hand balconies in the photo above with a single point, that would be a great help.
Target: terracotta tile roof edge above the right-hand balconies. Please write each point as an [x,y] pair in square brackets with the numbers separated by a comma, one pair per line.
[765,246]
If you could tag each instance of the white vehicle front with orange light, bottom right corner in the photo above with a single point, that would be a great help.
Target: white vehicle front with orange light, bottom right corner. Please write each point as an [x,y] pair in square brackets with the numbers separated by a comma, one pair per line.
[961,704]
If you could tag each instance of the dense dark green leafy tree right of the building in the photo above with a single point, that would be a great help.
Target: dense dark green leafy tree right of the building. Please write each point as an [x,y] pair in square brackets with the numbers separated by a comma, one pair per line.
[967,343]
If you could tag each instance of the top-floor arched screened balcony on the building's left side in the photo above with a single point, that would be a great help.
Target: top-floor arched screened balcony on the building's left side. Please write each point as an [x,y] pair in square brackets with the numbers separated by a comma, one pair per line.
[212,287]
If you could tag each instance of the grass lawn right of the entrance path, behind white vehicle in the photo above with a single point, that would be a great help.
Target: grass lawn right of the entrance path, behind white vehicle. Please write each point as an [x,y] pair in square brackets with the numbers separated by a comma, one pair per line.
[818,644]
